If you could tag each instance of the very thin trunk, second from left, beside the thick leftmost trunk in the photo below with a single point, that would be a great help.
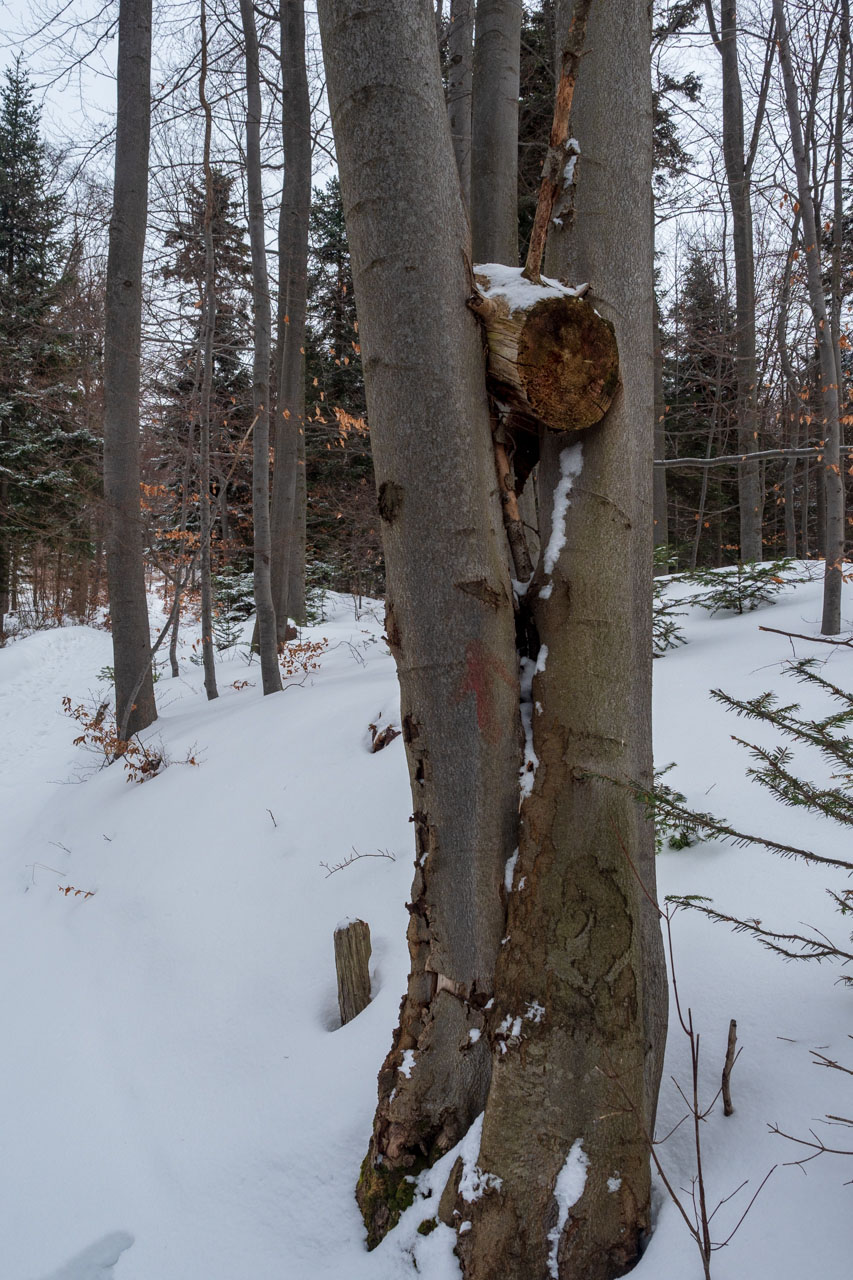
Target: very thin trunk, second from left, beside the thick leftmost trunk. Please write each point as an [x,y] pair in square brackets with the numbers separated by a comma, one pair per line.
[209,333]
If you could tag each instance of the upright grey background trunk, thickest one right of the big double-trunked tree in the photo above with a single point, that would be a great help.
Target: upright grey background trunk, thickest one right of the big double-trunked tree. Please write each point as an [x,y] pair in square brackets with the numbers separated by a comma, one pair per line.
[738,167]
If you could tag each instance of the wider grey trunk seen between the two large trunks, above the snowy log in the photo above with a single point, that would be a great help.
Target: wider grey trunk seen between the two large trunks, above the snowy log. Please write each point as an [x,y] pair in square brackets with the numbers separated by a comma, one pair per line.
[495,132]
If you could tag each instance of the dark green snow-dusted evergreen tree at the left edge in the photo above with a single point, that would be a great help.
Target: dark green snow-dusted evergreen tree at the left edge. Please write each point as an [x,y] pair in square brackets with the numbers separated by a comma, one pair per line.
[48,458]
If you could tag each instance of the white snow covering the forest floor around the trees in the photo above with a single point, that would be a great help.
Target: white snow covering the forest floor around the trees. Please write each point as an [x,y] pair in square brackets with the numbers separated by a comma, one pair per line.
[179,1101]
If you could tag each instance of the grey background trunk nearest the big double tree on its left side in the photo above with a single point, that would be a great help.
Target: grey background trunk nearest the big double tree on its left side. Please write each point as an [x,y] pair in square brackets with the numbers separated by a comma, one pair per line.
[289,473]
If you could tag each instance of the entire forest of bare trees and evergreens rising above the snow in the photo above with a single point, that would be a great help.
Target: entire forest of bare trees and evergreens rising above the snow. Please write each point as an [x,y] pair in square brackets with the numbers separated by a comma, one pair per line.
[494,310]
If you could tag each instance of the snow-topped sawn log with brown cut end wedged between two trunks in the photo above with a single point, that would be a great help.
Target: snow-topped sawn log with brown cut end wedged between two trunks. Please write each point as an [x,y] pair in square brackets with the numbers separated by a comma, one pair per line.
[553,358]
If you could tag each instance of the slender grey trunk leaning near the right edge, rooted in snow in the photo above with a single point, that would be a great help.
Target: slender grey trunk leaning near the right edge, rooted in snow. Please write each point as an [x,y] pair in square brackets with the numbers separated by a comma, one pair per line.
[828,381]
